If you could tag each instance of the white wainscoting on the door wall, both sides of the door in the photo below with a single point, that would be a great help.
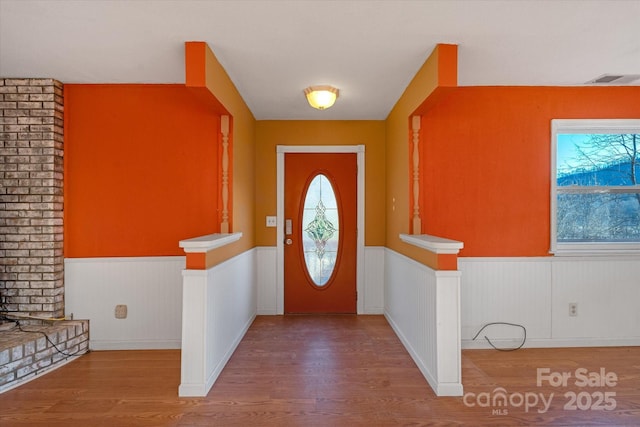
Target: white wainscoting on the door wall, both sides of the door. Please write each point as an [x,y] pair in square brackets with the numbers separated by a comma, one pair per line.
[371,299]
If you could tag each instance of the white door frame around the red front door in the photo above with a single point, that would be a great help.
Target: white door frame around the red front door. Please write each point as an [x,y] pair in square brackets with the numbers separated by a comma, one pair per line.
[281,150]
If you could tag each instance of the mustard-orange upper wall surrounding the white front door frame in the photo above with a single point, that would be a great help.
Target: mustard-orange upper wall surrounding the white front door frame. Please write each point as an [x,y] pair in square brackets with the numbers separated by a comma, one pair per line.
[371,134]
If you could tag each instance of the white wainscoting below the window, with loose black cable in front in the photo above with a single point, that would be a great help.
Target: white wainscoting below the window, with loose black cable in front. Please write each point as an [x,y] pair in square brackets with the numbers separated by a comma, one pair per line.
[536,292]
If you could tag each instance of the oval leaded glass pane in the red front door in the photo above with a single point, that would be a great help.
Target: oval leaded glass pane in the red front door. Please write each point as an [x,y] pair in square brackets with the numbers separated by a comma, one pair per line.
[321,230]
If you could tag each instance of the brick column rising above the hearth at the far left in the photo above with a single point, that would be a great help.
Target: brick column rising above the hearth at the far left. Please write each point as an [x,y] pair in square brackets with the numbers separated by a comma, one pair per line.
[31,197]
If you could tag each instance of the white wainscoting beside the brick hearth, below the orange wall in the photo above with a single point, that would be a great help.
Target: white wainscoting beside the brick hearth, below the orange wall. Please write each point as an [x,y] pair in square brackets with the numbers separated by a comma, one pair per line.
[151,287]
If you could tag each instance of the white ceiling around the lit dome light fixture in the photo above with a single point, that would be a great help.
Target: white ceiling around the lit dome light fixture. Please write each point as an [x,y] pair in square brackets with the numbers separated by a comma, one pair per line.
[273,49]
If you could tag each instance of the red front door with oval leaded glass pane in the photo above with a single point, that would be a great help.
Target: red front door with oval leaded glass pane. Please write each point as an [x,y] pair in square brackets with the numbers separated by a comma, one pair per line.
[320,233]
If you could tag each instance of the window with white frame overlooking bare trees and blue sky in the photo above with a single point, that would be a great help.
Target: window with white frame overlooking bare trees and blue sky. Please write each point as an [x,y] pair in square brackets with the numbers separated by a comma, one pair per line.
[595,186]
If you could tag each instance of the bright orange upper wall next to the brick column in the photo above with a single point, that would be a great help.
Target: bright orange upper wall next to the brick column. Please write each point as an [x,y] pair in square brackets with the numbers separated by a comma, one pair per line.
[141,170]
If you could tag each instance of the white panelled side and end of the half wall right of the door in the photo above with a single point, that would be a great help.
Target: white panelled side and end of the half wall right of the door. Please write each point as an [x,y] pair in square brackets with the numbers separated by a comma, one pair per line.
[423,308]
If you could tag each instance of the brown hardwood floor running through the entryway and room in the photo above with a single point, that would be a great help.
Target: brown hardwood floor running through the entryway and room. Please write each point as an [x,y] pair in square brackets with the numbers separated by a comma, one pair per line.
[329,371]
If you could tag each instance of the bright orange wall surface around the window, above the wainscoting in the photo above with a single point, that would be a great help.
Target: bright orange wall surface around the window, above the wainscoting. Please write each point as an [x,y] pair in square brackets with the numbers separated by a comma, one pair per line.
[486,162]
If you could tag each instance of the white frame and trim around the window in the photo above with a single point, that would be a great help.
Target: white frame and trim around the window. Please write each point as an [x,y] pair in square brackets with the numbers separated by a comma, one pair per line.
[585,126]
